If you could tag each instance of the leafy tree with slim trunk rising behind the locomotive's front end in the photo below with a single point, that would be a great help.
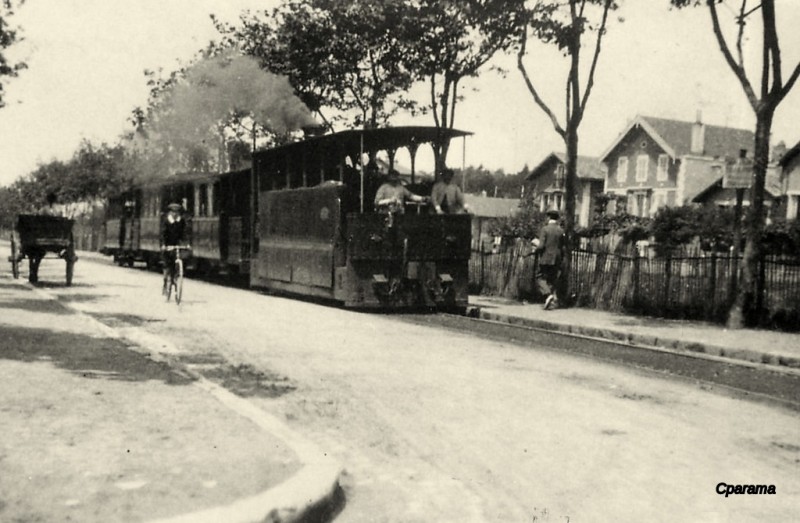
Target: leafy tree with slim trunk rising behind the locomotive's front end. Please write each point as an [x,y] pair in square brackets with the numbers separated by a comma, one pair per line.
[454,40]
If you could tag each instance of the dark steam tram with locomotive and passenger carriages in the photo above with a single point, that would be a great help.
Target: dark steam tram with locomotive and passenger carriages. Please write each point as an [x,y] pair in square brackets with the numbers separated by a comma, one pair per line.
[302,222]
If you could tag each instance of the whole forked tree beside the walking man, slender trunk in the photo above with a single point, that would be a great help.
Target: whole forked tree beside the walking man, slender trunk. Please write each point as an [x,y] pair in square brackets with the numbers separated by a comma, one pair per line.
[565,24]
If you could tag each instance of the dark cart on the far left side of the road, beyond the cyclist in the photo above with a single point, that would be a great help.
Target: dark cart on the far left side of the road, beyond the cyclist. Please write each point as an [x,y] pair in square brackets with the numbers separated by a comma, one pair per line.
[37,236]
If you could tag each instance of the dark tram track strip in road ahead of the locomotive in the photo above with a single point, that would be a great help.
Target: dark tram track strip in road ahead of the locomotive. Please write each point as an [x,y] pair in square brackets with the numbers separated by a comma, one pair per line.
[772,385]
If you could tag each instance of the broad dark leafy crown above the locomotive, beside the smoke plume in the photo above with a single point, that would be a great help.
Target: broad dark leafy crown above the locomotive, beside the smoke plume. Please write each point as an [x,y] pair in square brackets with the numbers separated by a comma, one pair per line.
[347,61]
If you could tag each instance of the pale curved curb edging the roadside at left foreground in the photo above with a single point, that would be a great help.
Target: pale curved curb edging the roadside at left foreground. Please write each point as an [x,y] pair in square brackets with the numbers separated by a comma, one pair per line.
[311,491]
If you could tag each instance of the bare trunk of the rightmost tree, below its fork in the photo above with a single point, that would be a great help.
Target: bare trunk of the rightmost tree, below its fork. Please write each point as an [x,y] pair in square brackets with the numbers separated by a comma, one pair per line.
[745,309]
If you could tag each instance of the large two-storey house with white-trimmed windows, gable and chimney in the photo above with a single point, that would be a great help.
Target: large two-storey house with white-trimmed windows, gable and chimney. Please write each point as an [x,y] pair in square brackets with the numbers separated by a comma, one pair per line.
[656,162]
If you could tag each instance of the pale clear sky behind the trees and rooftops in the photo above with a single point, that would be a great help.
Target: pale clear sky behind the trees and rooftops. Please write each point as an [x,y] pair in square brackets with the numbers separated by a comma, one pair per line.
[86,60]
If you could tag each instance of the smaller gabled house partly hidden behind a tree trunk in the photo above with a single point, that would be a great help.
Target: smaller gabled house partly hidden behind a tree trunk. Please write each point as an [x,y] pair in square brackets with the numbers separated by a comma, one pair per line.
[548,182]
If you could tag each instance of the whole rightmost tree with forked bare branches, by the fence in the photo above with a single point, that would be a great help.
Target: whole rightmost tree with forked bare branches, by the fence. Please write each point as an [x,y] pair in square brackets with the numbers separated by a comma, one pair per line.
[772,88]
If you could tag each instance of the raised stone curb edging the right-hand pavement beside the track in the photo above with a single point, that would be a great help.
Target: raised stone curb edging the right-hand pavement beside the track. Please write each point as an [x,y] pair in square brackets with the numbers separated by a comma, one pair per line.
[788,363]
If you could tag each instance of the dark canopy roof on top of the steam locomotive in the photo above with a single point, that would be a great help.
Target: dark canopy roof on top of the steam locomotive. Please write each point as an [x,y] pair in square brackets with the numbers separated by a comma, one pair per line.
[381,139]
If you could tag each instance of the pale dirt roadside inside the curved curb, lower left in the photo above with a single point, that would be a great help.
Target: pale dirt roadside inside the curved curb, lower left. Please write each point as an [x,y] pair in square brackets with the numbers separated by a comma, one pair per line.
[95,431]
